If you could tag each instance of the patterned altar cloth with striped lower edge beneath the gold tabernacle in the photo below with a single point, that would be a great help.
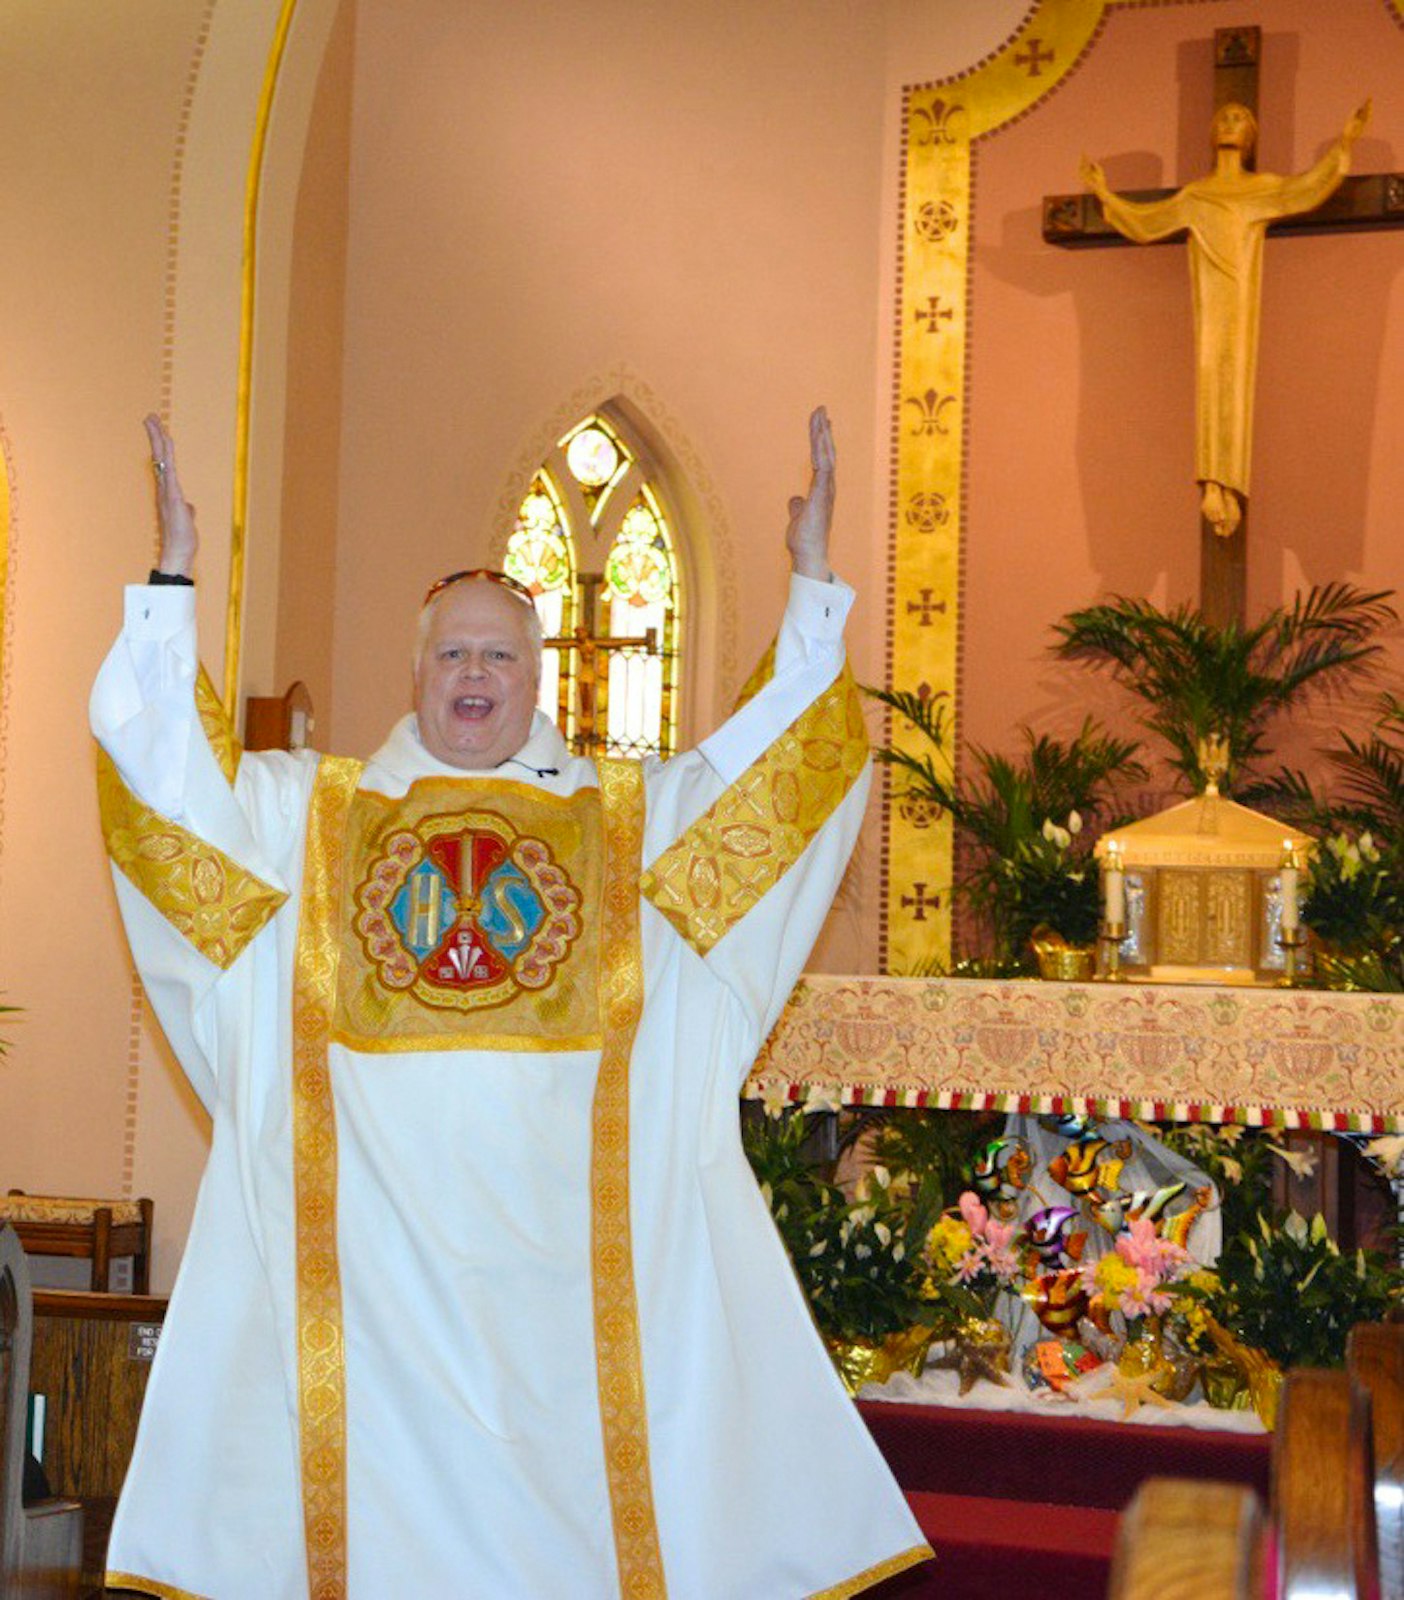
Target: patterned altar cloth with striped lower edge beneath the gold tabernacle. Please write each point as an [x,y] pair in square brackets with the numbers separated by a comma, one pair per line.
[1280,1058]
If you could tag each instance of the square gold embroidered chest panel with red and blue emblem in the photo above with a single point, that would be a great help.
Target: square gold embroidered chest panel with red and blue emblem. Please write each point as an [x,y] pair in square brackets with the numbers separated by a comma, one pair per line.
[471,919]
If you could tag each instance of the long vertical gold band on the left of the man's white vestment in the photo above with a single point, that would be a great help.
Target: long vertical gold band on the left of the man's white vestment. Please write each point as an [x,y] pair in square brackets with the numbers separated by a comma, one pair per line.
[321,1337]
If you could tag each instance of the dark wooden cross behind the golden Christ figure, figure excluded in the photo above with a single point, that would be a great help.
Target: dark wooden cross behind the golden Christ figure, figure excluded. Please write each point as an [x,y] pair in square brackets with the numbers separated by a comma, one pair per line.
[1362,202]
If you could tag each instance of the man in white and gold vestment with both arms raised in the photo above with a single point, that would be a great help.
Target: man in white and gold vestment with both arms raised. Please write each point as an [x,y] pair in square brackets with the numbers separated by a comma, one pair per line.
[481,1297]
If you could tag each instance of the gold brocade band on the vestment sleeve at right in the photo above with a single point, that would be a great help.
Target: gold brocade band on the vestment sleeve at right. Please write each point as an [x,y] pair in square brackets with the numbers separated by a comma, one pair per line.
[760,826]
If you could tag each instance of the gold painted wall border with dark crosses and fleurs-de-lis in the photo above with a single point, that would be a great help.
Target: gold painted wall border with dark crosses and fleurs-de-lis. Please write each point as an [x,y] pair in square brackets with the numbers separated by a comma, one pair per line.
[941,126]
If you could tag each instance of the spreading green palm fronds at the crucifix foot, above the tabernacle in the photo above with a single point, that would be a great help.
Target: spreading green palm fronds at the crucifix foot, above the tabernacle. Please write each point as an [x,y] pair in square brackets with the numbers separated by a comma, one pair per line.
[1197,681]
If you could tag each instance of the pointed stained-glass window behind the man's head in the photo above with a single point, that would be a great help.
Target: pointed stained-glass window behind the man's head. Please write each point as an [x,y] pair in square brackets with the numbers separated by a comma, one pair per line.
[597,545]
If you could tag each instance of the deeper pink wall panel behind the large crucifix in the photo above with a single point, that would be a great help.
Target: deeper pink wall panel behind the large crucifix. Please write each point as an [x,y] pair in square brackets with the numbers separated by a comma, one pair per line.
[1082,449]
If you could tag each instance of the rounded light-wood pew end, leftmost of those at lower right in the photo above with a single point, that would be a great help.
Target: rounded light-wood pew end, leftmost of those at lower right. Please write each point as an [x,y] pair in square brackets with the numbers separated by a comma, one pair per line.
[1186,1540]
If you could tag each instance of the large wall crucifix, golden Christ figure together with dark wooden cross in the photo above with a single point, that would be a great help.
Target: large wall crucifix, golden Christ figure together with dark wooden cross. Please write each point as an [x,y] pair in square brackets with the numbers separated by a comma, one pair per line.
[1226,217]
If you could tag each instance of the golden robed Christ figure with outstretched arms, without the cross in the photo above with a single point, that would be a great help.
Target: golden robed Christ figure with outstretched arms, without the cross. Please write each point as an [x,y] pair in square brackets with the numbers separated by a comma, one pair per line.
[1227,217]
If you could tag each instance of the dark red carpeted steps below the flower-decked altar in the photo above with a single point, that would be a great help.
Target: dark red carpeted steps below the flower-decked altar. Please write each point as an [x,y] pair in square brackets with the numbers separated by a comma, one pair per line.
[1026,1506]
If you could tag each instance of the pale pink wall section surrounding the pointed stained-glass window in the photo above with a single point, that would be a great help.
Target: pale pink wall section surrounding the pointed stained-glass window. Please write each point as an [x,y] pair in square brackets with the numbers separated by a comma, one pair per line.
[692,196]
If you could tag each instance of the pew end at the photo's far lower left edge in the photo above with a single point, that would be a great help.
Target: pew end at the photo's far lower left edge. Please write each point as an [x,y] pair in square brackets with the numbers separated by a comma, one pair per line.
[41,1545]
